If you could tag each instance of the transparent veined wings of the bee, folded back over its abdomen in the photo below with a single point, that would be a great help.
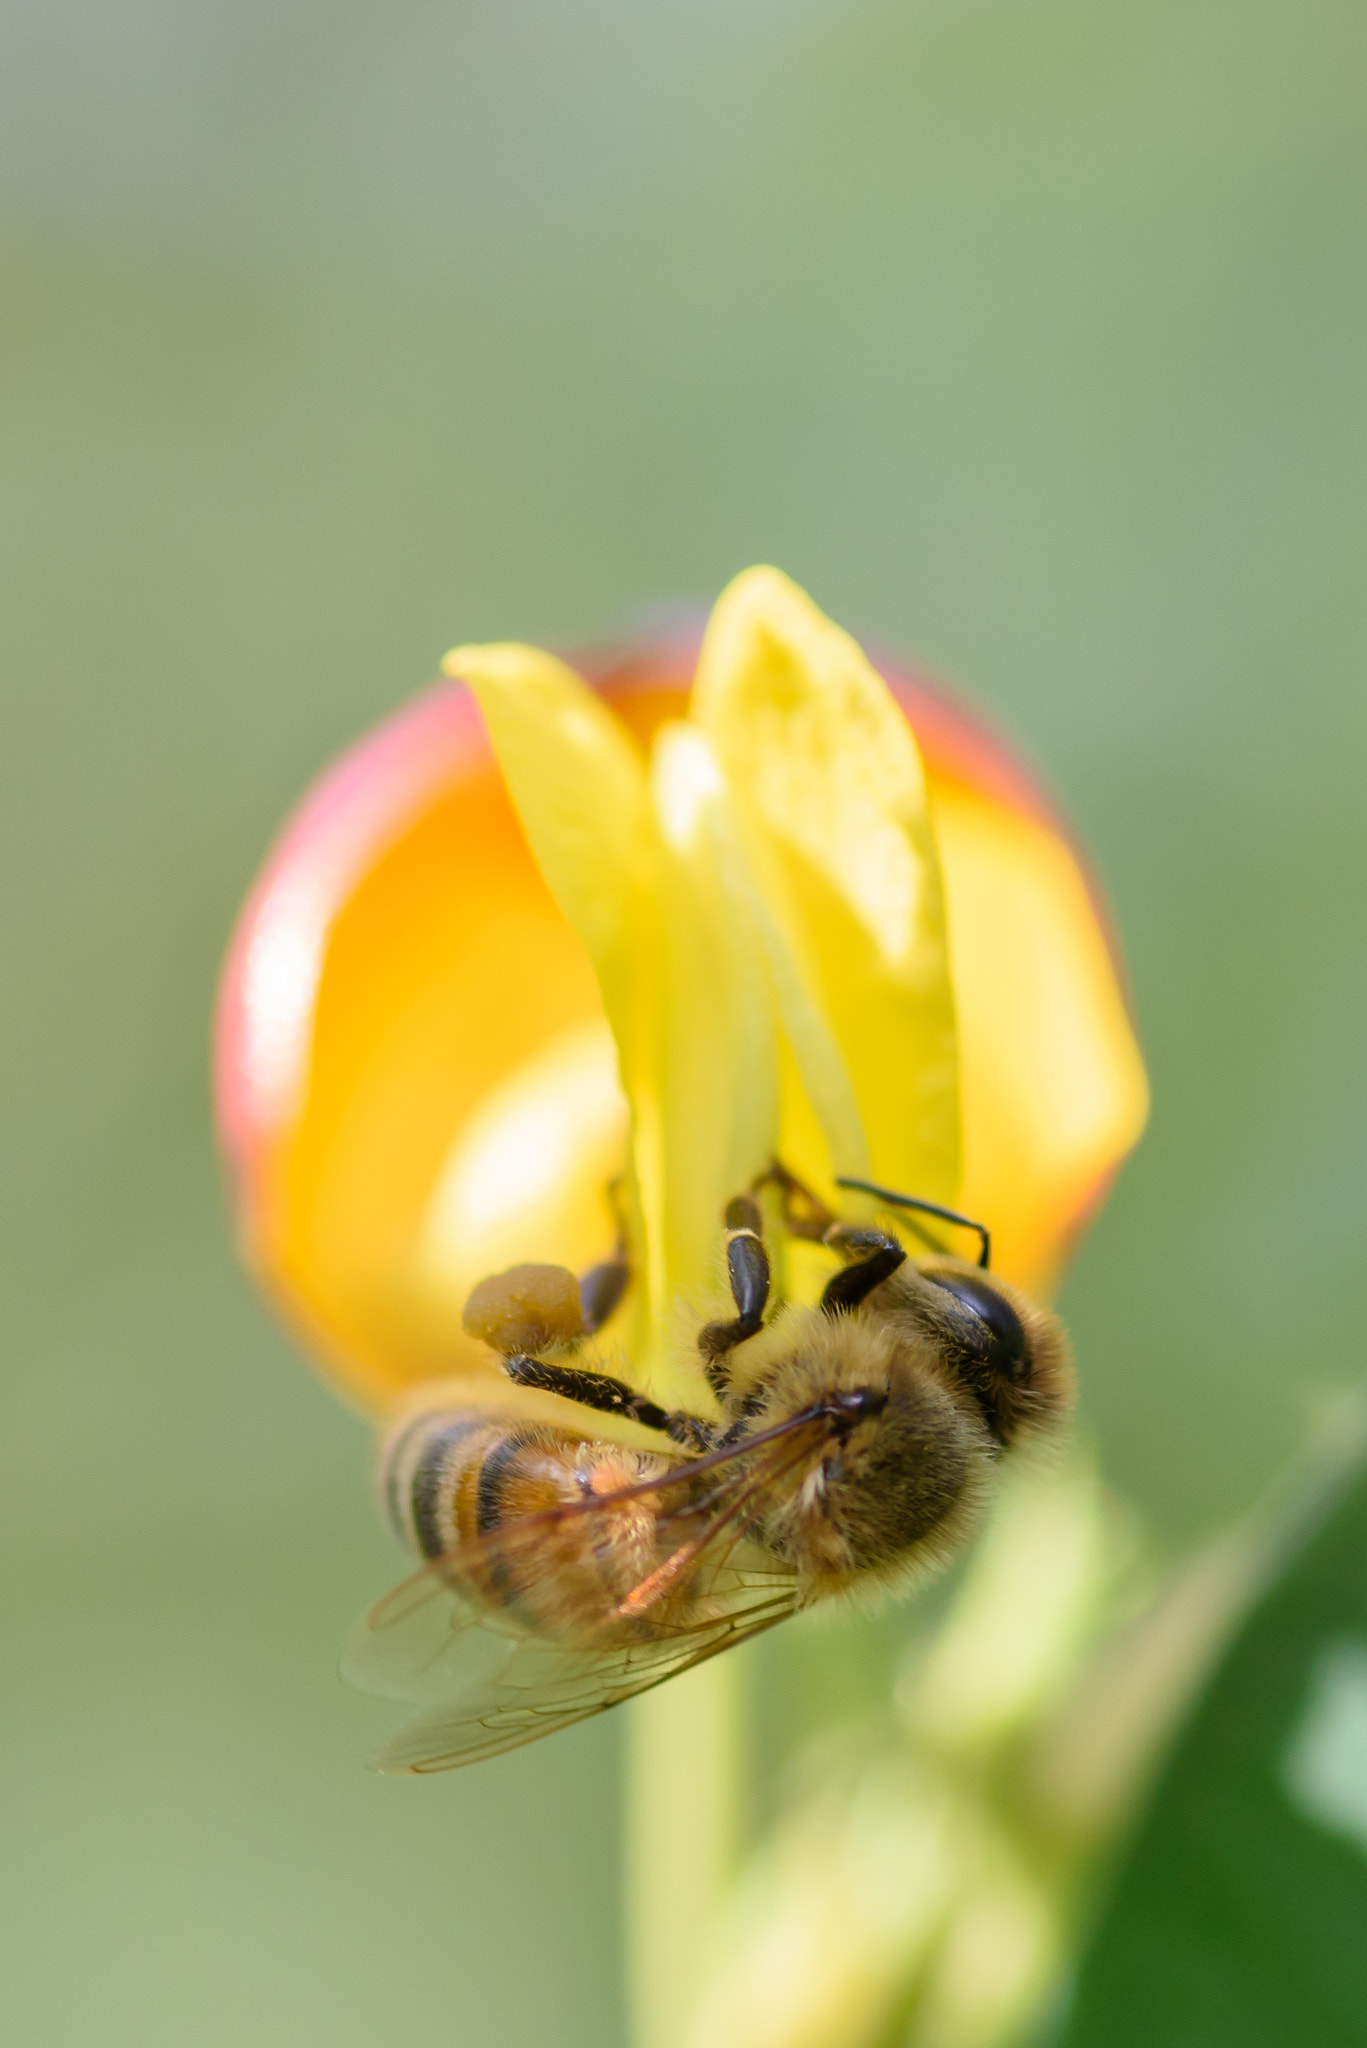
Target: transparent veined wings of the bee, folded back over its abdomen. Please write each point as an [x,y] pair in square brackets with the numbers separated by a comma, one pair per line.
[489,1680]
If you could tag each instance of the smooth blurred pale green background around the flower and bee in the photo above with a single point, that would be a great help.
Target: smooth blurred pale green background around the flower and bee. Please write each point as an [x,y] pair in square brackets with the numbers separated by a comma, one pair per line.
[1030,339]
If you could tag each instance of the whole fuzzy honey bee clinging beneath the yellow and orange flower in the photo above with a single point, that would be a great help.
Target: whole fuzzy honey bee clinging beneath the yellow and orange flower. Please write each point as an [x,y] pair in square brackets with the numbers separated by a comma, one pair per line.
[571,1568]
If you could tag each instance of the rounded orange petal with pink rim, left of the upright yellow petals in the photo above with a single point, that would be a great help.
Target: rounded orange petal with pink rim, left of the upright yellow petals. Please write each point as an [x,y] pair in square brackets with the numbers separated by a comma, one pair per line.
[397,972]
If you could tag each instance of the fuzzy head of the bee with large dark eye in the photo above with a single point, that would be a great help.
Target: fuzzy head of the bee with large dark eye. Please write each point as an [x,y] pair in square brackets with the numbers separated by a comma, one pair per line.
[1007,1353]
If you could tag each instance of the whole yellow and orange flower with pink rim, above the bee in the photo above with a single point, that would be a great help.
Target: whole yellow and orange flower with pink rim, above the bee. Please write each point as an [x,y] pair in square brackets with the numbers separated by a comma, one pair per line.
[653,927]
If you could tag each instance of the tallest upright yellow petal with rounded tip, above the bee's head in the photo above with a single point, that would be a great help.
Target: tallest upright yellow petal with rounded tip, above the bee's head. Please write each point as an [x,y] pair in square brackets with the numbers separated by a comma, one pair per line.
[831,783]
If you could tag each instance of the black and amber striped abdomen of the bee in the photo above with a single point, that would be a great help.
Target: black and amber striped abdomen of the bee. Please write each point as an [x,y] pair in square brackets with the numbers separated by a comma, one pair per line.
[470,1482]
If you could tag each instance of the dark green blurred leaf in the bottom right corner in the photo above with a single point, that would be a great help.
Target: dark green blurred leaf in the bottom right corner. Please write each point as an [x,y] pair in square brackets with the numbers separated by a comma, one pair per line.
[1239,1918]
